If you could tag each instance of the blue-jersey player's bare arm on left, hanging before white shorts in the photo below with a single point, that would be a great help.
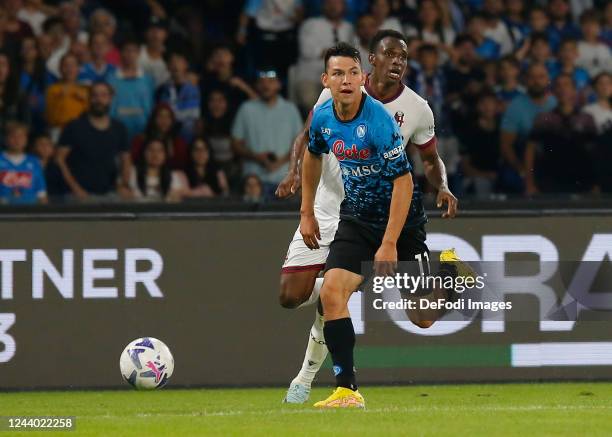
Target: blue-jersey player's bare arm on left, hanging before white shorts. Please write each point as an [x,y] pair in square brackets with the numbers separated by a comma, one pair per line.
[311,172]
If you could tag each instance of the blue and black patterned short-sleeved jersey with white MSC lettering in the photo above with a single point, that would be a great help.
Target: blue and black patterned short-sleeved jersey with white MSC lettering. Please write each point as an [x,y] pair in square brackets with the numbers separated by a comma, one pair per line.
[371,154]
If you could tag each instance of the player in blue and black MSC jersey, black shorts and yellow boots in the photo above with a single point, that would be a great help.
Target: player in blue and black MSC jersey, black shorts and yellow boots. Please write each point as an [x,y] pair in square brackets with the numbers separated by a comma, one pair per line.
[378,190]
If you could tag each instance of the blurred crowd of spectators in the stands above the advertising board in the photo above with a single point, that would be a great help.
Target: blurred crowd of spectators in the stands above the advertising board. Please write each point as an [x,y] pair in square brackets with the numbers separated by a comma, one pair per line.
[170,100]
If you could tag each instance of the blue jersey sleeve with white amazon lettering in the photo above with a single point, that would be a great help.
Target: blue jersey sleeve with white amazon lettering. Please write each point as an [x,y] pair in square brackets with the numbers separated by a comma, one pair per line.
[390,147]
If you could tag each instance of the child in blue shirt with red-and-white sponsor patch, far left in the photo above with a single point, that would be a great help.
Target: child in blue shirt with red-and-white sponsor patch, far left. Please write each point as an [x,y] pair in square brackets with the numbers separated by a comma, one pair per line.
[21,177]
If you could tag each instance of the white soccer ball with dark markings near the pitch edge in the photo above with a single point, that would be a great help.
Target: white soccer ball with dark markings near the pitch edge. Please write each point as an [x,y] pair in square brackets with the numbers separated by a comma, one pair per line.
[146,363]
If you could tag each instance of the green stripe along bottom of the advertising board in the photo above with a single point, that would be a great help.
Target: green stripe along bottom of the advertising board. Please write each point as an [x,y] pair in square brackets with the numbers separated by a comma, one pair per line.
[379,357]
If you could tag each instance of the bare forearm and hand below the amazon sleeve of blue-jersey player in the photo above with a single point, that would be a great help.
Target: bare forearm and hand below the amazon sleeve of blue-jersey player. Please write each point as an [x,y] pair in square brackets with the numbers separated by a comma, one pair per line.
[386,256]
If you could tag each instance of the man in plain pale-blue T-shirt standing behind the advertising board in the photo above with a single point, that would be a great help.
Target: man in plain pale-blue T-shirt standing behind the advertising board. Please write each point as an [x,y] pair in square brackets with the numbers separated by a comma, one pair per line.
[264,129]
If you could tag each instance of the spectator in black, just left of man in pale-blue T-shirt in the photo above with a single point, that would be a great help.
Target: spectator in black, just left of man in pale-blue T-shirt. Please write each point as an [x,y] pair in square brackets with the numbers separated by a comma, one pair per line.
[218,125]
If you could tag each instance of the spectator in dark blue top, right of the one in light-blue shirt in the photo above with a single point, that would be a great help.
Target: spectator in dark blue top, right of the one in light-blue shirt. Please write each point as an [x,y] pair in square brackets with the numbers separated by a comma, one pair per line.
[182,96]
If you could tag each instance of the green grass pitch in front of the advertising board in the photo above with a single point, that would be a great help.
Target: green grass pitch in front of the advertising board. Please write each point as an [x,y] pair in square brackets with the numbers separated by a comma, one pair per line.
[563,409]
